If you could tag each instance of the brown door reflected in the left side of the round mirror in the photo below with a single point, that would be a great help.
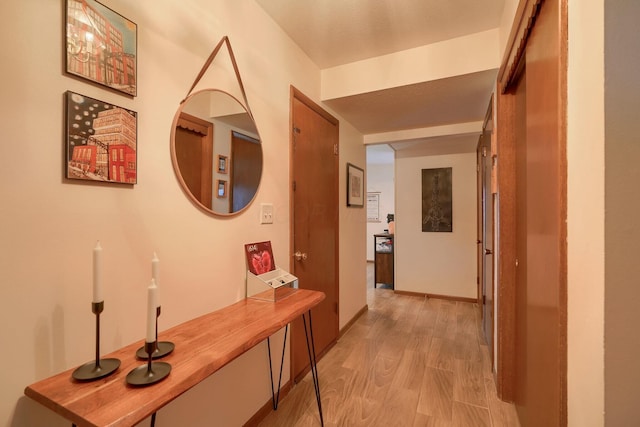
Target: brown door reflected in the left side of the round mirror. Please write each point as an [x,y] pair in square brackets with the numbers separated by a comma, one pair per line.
[194,154]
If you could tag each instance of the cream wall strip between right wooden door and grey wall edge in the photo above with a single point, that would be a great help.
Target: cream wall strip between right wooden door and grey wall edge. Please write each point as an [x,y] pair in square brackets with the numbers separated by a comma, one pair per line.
[585,214]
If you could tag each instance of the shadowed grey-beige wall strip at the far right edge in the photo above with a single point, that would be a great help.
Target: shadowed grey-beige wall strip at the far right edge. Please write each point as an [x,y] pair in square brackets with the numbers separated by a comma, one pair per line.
[622,224]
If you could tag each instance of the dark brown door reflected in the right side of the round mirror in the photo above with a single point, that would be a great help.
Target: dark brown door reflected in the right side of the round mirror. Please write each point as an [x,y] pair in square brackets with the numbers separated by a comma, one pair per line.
[246,170]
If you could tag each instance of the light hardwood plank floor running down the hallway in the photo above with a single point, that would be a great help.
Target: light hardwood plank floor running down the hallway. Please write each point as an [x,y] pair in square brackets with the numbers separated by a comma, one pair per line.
[408,361]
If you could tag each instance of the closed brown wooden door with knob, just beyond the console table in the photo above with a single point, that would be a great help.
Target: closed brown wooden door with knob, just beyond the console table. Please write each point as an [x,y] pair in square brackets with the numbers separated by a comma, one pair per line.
[315,222]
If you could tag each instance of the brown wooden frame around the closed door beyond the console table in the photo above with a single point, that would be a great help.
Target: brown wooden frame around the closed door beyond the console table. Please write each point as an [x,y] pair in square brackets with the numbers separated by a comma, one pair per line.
[296,94]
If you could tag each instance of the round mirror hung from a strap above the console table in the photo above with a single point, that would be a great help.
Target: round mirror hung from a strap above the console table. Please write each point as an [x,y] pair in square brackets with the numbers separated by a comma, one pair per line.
[216,152]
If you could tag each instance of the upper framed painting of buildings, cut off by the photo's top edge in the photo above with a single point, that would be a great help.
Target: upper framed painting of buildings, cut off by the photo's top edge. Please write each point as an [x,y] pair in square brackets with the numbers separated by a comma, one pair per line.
[101,46]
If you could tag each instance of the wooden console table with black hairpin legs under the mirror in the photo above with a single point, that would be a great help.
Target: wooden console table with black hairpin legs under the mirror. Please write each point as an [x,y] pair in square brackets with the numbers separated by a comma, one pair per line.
[202,346]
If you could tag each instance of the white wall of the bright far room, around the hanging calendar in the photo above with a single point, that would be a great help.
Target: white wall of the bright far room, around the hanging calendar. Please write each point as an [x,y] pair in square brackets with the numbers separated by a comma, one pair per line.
[380,179]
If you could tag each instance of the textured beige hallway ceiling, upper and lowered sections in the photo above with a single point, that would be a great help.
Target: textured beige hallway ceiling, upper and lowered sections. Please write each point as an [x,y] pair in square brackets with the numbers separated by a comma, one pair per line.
[337,32]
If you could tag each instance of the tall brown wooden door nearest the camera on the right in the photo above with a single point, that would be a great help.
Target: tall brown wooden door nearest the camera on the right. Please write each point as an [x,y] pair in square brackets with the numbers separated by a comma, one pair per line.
[544,230]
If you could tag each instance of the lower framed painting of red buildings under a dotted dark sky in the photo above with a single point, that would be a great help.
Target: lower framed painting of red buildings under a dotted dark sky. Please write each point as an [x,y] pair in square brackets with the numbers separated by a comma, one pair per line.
[101,141]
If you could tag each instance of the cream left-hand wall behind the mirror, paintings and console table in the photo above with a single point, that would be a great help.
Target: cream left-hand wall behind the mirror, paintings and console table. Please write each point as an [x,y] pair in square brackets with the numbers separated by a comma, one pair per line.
[49,226]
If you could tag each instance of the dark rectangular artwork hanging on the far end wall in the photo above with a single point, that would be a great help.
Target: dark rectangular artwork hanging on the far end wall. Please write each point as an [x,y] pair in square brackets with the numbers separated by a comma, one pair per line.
[437,200]
